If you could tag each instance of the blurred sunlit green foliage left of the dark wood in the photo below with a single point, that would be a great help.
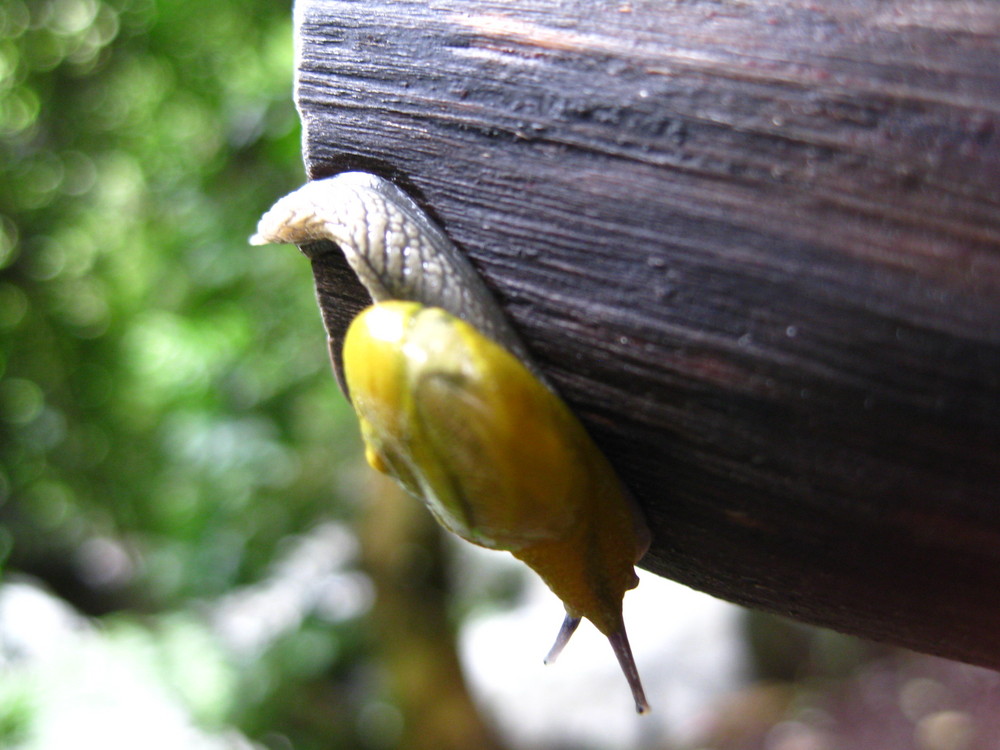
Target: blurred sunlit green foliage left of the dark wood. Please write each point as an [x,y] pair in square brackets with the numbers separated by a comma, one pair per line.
[167,415]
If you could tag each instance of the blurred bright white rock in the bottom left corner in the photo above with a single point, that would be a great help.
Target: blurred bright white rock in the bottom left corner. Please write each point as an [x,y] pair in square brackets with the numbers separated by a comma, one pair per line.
[80,689]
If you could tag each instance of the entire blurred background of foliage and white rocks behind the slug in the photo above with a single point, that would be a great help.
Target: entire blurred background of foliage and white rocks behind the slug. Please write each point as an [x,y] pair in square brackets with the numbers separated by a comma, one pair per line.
[192,552]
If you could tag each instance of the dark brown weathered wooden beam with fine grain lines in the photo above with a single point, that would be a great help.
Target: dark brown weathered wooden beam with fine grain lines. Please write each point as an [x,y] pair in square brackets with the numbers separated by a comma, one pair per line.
[755,244]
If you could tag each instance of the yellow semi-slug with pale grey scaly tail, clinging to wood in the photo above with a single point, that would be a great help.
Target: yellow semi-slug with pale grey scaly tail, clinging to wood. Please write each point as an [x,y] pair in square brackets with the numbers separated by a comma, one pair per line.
[452,407]
